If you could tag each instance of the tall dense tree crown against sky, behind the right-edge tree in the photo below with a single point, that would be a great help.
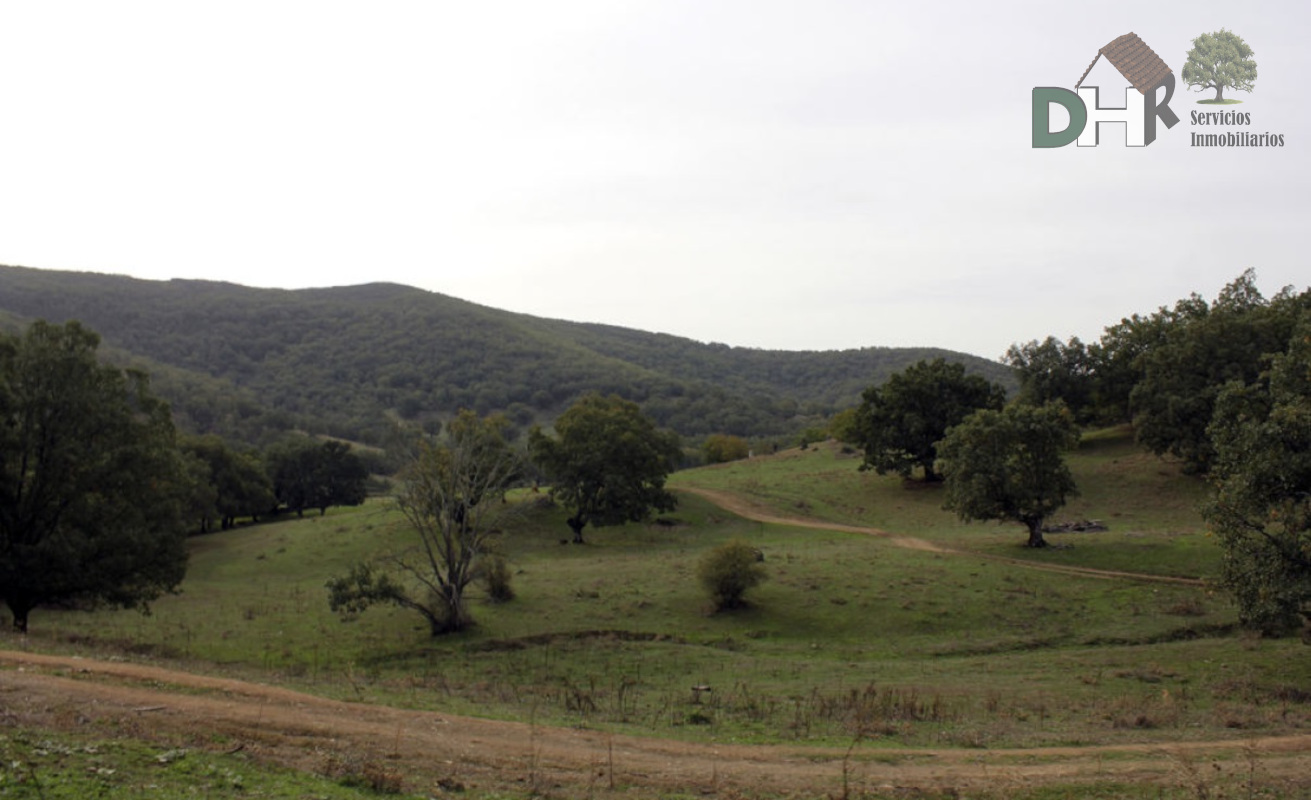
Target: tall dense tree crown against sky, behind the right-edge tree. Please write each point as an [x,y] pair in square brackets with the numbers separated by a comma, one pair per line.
[1200,350]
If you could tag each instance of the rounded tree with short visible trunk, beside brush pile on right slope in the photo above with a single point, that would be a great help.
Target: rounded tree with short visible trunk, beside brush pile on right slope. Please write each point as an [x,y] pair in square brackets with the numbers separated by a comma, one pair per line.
[1010,466]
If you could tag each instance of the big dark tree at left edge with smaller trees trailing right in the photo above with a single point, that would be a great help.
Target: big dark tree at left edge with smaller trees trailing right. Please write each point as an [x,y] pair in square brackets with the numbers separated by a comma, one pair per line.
[99,492]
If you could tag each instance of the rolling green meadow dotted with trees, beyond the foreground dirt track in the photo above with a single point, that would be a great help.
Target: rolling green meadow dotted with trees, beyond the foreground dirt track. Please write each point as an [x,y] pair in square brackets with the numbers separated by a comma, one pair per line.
[850,637]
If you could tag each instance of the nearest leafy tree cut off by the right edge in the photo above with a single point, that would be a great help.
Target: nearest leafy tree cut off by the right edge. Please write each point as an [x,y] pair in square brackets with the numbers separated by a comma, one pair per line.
[1262,511]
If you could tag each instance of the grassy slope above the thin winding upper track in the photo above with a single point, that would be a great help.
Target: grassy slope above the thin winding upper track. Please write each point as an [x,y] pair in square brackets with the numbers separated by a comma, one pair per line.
[1148,504]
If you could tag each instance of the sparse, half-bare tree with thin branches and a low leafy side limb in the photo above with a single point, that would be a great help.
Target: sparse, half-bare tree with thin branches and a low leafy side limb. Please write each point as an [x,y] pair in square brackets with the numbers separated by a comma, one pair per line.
[453,496]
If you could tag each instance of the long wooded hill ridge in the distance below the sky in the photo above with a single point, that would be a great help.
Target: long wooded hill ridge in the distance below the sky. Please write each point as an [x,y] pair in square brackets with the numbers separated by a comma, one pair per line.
[349,361]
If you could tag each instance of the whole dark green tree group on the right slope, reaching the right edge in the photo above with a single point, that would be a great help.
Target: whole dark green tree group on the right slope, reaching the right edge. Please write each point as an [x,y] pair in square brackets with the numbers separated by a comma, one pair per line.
[1224,388]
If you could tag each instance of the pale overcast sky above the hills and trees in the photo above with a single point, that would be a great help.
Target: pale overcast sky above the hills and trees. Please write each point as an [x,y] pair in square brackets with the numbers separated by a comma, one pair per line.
[786,175]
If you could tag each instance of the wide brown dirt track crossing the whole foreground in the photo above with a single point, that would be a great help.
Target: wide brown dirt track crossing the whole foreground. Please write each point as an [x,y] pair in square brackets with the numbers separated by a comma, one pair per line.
[307,732]
